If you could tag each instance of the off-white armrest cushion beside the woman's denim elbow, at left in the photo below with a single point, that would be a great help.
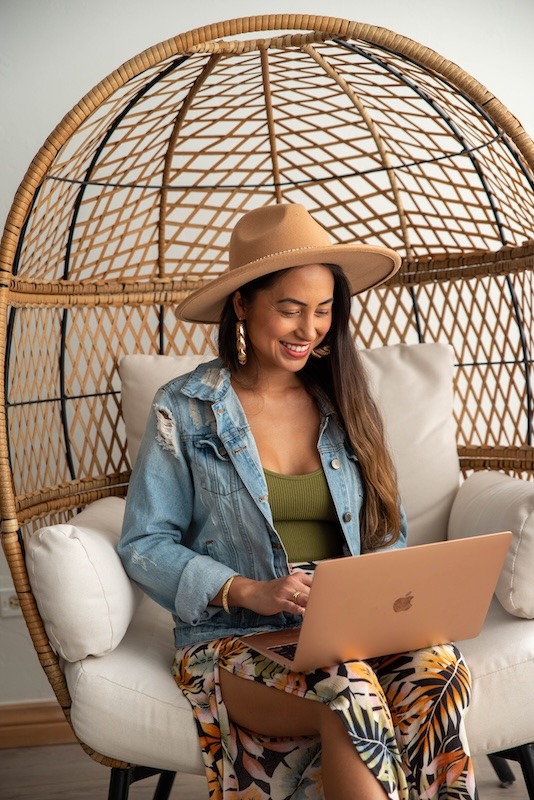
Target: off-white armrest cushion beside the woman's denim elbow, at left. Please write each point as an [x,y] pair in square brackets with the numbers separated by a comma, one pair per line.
[84,596]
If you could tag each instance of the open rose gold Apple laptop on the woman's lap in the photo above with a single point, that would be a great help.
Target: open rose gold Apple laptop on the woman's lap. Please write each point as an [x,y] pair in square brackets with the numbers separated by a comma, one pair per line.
[390,602]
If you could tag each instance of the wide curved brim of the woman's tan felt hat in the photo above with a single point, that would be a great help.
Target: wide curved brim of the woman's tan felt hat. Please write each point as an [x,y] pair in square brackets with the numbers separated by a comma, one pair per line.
[365,267]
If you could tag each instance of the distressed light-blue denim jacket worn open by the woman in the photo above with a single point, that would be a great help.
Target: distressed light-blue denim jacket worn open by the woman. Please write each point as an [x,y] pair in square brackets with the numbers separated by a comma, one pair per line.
[197,509]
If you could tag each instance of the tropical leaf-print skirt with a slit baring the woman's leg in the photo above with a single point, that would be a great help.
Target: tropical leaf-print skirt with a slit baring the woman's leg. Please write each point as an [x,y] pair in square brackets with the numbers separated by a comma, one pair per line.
[404,714]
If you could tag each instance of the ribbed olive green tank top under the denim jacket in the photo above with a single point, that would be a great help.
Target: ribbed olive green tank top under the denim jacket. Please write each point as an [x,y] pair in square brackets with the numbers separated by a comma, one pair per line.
[304,515]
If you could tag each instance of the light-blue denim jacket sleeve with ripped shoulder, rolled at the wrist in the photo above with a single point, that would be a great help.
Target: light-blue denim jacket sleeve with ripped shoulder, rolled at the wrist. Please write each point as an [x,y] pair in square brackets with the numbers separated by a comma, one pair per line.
[156,545]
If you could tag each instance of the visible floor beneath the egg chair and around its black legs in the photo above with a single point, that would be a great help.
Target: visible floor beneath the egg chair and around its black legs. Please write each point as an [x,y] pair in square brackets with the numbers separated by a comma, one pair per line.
[65,771]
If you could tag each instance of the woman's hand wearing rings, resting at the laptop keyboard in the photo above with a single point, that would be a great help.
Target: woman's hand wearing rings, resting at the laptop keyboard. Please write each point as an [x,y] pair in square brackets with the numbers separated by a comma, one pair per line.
[289,593]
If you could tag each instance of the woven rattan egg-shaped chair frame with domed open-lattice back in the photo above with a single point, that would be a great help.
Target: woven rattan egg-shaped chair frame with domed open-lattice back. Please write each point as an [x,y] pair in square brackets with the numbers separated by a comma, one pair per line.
[128,206]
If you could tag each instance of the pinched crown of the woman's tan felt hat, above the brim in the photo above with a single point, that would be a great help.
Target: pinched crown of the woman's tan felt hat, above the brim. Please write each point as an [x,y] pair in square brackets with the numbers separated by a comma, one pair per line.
[274,229]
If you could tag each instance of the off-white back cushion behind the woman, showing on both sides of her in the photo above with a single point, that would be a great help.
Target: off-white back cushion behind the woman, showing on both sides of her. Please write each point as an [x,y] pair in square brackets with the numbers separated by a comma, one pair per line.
[413,386]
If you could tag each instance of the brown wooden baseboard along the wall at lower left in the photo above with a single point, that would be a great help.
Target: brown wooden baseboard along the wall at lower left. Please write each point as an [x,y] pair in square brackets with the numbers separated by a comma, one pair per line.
[33,724]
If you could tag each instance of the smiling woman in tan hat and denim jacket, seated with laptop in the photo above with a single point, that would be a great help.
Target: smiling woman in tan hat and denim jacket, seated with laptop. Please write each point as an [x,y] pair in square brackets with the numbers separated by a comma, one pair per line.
[252,469]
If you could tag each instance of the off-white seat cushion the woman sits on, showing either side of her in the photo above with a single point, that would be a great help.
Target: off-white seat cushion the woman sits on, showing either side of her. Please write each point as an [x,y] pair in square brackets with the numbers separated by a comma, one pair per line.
[127,706]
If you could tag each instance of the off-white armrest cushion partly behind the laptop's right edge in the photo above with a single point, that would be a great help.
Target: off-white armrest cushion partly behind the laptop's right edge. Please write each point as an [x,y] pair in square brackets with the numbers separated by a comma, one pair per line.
[489,502]
